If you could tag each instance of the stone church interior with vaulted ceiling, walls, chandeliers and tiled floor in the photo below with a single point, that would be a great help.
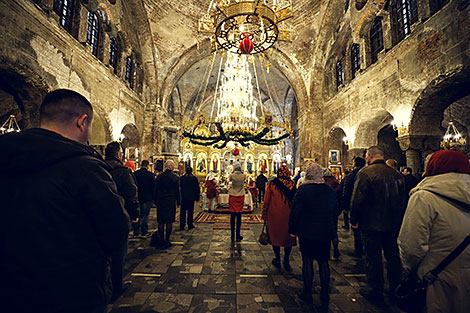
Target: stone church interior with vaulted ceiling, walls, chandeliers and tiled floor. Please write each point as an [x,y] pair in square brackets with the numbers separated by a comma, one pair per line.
[303,81]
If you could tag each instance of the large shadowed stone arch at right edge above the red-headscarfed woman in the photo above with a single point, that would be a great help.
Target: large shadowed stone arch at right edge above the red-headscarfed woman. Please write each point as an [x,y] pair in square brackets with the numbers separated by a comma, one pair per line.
[441,92]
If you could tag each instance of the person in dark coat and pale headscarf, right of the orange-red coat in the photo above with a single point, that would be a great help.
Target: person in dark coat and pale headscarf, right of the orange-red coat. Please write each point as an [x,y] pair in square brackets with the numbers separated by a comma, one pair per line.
[312,219]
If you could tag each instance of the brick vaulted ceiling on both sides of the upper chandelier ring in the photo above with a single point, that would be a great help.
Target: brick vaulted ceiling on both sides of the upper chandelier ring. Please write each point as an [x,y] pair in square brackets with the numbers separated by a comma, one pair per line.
[173,25]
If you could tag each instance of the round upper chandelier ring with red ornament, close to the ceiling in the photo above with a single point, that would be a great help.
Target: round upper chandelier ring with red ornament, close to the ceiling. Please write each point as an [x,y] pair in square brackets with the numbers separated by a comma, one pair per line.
[246,27]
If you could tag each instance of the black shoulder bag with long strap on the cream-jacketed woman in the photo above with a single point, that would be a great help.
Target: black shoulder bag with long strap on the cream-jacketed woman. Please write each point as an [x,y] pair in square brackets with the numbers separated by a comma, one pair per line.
[411,292]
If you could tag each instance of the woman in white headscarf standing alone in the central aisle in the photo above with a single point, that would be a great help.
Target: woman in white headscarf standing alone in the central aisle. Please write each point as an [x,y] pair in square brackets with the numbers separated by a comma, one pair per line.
[236,200]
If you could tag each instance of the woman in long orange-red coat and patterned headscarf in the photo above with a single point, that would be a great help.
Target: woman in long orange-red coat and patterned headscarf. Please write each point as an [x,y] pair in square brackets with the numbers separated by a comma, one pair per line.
[276,210]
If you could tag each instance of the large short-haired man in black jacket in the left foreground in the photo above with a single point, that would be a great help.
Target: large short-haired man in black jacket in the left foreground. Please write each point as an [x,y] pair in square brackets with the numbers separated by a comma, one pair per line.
[61,214]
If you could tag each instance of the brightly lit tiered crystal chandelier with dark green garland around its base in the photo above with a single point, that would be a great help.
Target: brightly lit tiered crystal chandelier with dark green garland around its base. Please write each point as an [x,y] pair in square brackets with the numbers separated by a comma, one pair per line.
[236,115]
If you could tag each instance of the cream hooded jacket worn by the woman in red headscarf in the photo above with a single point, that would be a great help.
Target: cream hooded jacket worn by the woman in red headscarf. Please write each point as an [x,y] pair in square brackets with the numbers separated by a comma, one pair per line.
[432,228]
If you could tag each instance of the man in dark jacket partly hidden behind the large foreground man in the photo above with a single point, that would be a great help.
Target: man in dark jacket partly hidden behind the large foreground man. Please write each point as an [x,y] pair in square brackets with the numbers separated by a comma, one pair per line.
[127,188]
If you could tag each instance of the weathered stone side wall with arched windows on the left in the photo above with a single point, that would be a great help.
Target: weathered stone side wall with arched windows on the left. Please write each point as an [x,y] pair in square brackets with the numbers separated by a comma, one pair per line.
[44,57]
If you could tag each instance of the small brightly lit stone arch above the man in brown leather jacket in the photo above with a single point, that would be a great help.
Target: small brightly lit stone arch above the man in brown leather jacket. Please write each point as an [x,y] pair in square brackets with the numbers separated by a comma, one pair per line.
[367,131]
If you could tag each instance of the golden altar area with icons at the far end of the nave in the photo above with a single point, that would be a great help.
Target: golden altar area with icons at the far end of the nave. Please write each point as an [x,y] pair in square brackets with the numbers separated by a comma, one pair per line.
[254,160]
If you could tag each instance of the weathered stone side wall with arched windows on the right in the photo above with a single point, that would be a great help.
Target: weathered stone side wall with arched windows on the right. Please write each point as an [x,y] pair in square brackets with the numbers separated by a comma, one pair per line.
[433,60]
